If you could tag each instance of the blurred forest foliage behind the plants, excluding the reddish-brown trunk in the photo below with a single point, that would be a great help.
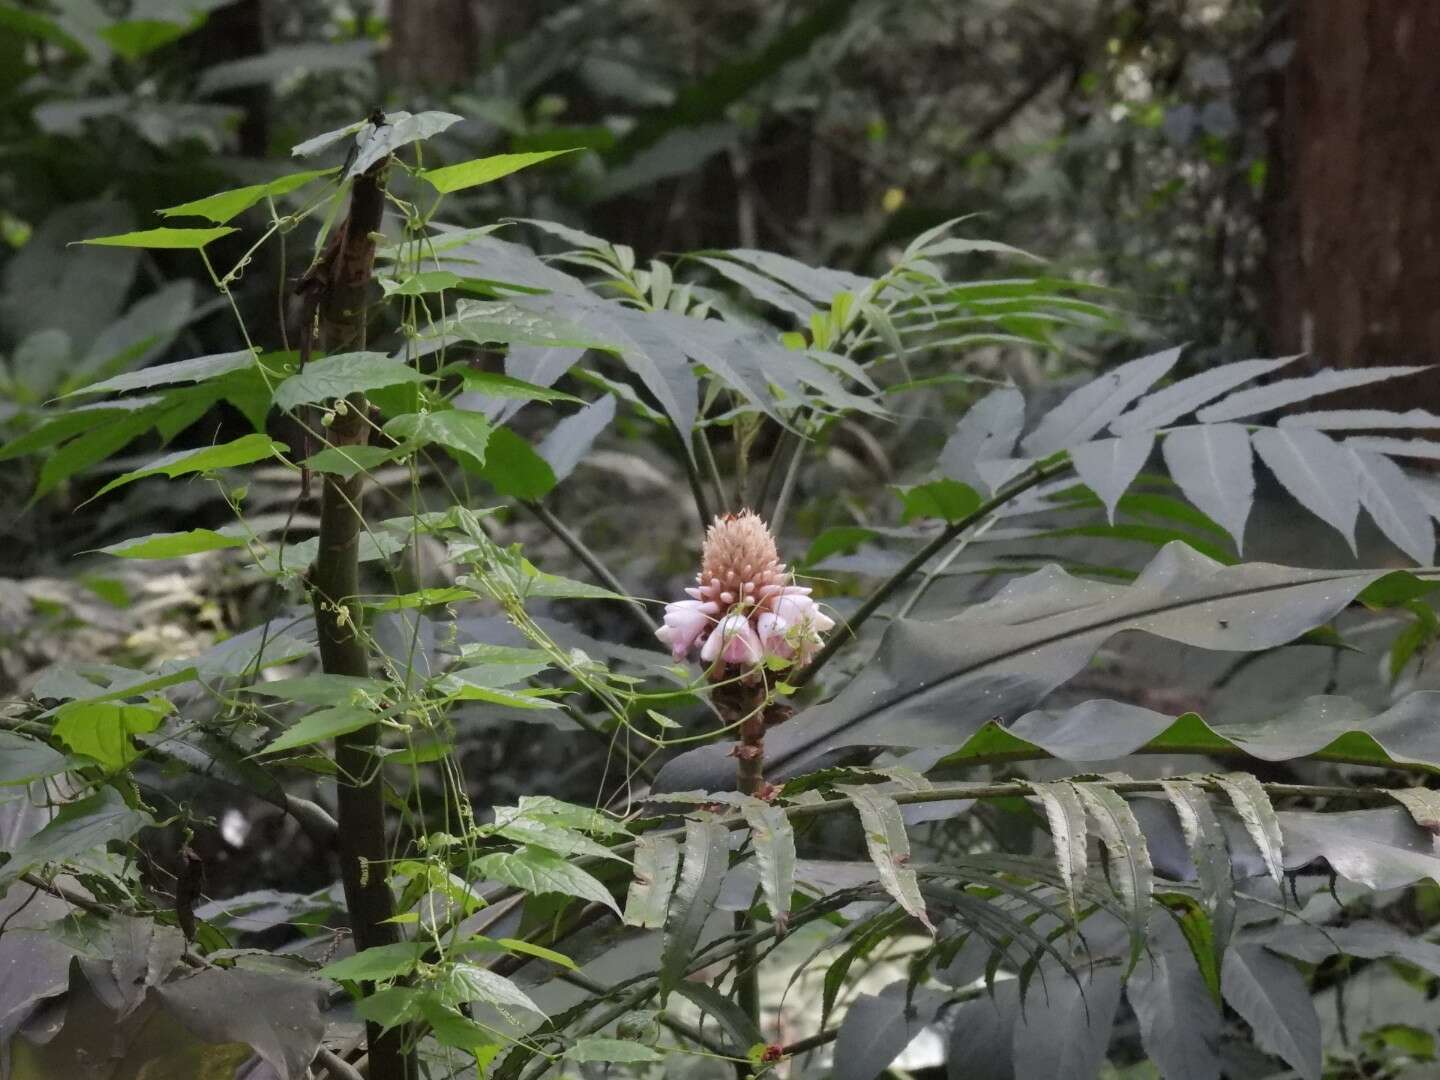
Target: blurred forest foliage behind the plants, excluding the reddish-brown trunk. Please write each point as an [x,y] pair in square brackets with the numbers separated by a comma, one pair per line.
[1127,143]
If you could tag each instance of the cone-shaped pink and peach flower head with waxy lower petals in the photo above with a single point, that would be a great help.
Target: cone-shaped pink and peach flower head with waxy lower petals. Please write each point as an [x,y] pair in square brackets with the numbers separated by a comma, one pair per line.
[744,610]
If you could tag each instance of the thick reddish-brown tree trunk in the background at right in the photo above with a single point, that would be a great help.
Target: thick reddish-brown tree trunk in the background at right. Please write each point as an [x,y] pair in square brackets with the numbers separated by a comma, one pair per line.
[1354,210]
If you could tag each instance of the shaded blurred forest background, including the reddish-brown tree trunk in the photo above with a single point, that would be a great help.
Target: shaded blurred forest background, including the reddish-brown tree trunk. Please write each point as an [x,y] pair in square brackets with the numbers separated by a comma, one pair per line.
[1256,178]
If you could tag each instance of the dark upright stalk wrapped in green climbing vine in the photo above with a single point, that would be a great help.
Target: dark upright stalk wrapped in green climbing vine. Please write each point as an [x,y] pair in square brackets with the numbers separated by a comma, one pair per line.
[338,290]
